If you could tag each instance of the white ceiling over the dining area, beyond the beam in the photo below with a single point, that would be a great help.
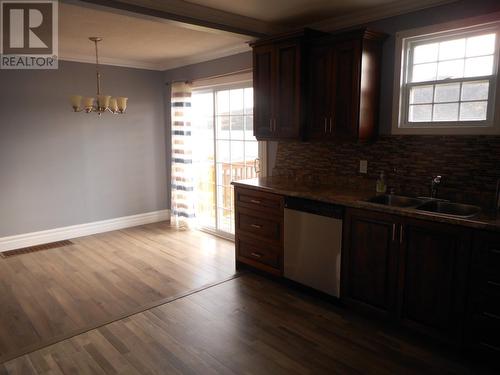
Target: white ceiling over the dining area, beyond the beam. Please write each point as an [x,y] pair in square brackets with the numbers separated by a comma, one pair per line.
[139,41]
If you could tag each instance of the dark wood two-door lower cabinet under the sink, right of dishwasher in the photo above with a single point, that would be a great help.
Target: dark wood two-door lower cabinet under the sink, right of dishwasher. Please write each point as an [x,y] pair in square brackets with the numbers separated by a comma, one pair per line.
[413,272]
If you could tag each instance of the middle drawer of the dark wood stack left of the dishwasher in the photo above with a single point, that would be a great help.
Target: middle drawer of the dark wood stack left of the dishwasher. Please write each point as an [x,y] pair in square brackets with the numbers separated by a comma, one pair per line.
[255,223]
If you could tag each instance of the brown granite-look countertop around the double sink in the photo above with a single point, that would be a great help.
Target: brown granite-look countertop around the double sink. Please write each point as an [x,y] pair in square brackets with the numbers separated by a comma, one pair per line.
[349,194]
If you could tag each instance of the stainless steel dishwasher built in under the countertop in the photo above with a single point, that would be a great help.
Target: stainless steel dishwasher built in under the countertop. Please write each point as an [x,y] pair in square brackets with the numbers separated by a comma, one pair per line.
[313,242]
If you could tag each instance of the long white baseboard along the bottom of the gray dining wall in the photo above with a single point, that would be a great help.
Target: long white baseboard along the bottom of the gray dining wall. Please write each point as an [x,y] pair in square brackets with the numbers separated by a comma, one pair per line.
[65,233]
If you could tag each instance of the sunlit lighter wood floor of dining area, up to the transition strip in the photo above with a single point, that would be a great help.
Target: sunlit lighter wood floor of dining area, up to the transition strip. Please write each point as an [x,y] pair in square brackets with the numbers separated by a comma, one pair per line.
[46,296]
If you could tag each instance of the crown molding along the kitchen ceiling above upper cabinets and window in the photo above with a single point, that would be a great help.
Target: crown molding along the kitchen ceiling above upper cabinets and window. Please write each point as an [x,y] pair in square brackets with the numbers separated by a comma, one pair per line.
[376,13]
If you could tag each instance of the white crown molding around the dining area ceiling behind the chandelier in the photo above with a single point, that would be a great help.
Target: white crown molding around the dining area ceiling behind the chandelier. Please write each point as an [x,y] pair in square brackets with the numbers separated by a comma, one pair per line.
[163,65]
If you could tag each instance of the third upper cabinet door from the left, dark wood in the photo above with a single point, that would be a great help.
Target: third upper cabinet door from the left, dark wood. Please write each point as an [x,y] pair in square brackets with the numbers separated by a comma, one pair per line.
[320,90]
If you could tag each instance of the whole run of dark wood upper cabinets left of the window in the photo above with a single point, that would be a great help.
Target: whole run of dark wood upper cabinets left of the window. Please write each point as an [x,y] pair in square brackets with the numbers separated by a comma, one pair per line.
[313,85]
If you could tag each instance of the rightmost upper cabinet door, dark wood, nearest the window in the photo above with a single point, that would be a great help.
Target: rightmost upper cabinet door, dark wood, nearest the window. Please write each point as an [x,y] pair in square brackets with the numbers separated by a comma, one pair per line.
[345,97]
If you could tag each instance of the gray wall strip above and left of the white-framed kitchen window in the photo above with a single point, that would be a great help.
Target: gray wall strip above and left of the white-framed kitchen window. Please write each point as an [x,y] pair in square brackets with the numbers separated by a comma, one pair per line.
[431,16]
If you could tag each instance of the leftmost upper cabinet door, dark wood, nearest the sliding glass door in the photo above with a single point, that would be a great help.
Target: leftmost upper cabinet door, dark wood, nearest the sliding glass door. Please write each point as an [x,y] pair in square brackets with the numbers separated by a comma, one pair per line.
[263,88]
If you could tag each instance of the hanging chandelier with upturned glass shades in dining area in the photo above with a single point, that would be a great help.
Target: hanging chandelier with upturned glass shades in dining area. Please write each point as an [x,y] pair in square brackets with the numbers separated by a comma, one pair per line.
[101,103]
